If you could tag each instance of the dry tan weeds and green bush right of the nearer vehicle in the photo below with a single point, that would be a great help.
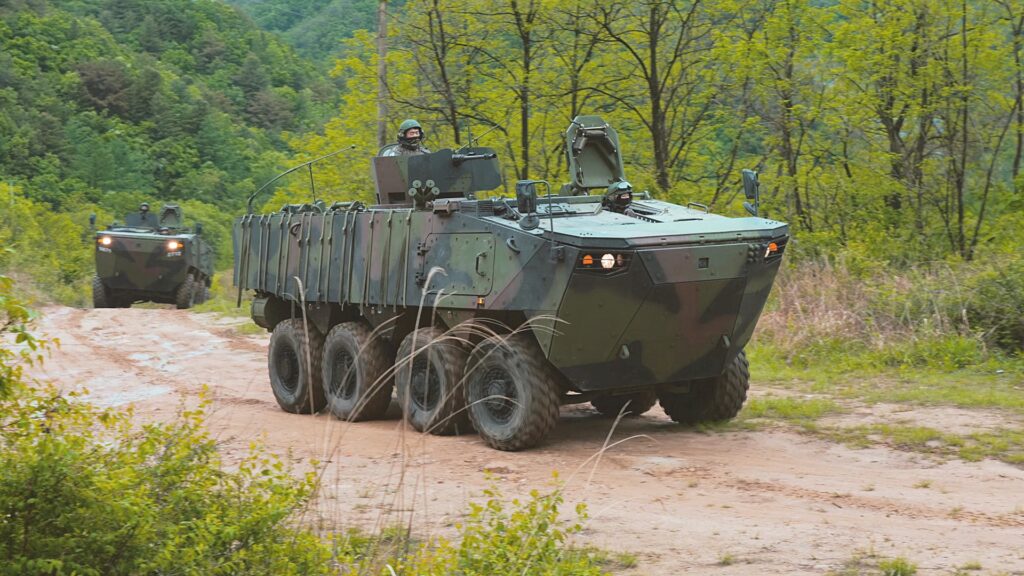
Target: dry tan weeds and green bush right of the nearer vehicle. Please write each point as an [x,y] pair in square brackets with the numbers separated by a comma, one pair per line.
[940,315]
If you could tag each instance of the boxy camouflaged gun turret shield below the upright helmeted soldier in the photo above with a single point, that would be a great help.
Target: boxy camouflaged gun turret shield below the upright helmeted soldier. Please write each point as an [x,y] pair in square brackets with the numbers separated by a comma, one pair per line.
[445,174]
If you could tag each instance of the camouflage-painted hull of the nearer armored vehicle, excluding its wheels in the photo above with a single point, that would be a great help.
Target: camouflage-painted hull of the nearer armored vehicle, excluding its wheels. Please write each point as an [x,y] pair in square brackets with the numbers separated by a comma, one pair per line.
[675,301]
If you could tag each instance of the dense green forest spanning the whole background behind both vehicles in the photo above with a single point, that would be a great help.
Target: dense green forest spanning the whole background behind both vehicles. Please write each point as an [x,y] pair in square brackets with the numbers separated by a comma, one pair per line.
[889,134]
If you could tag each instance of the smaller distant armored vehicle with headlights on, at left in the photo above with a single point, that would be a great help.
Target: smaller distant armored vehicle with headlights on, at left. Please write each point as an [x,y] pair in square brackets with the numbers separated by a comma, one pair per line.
[152,258]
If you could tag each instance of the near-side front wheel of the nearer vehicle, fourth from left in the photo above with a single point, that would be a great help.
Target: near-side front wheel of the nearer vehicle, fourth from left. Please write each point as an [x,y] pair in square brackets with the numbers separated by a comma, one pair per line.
[511,392]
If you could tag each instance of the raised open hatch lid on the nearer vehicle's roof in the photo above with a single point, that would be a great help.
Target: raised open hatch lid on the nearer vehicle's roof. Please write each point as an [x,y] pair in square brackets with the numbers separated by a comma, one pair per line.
[594,157]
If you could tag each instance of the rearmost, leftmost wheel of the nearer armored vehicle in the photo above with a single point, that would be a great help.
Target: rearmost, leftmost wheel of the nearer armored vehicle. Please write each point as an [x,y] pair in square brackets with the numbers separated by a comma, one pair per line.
[295,378]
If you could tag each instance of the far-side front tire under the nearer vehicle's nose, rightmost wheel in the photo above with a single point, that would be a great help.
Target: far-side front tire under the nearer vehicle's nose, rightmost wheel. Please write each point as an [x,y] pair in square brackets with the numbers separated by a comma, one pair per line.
[711,400]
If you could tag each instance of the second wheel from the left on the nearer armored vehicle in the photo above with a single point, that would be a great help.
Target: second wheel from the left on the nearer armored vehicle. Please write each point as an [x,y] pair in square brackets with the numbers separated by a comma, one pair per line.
[354,373]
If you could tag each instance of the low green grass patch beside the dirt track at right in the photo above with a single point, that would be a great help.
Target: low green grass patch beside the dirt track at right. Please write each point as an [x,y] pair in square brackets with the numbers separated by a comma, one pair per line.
[835,379]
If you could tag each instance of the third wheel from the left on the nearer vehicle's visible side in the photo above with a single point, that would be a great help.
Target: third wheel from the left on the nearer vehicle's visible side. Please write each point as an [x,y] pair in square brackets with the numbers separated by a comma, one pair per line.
[431,369]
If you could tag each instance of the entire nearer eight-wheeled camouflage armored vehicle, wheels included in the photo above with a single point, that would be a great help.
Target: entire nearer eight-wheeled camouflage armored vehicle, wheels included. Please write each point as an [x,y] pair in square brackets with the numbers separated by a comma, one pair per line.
[490,313]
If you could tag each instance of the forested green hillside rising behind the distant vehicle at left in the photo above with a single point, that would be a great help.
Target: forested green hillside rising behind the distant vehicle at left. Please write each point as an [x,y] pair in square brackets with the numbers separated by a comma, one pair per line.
[107,103]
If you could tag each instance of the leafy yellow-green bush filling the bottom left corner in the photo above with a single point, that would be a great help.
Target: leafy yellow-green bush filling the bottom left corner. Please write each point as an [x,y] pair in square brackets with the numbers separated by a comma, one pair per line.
[86,492]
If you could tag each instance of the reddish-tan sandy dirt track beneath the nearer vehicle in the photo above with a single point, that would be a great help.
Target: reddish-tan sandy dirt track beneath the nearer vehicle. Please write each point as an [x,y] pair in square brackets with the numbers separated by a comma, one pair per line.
[677,500]
